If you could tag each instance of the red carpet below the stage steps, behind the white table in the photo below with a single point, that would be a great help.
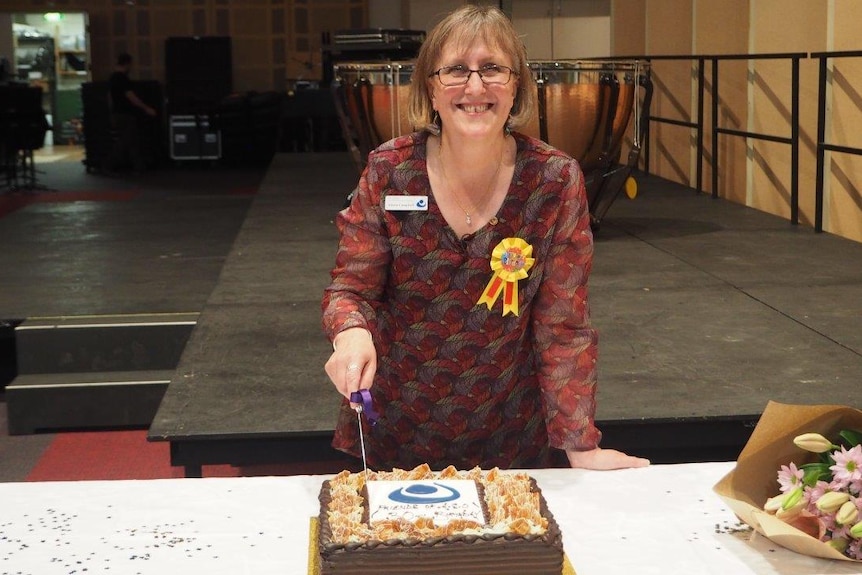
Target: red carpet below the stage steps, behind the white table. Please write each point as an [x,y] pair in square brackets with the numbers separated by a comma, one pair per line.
[106,455]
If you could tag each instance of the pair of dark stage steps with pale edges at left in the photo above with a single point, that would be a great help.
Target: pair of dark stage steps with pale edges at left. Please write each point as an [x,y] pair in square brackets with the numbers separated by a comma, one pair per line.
[93,372]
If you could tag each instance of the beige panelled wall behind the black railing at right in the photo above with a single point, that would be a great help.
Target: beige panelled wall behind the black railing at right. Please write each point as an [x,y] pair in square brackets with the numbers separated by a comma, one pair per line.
[755,96]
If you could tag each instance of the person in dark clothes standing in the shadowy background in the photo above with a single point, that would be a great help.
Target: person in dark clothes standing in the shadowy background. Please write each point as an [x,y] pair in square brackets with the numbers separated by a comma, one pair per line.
[126,109]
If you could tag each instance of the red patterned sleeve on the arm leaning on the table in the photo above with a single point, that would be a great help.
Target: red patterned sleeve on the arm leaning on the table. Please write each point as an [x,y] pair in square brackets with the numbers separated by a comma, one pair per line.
[565,340]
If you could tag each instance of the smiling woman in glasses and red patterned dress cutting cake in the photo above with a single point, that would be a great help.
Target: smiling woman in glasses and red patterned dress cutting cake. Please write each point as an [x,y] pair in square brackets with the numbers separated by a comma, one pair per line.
[459,298]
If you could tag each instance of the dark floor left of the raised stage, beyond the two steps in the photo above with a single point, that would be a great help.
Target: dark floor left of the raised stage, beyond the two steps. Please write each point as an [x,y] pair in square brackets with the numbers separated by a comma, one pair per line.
[151,242]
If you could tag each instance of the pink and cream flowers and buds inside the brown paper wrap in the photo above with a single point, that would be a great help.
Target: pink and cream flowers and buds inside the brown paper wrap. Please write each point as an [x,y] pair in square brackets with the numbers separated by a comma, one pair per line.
[824,498]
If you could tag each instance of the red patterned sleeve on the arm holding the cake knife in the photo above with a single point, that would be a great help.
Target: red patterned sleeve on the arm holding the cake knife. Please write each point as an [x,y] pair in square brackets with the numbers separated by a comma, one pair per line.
[363,257]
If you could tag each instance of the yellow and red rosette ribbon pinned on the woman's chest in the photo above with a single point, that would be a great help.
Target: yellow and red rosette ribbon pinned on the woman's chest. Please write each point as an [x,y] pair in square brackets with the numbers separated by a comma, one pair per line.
[510,262]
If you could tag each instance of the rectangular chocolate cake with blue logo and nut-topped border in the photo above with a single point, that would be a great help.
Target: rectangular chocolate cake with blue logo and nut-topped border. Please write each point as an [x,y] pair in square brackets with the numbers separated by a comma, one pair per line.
[519,534]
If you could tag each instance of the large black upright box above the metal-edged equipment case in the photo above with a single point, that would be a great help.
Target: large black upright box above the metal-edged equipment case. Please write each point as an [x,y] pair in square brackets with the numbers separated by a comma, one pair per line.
[198,73]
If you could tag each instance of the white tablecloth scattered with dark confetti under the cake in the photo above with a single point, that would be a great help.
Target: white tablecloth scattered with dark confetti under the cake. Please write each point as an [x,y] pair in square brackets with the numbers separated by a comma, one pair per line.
[662,519]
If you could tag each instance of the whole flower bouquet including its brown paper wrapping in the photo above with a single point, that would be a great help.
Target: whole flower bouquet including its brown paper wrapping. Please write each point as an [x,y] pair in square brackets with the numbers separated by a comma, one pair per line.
[816,507]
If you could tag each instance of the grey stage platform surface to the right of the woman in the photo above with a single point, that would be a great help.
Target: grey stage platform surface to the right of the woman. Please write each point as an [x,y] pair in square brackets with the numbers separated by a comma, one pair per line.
[708,308]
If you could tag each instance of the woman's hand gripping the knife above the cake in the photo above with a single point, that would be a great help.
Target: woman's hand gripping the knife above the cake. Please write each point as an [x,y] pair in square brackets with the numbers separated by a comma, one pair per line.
[353,362]
